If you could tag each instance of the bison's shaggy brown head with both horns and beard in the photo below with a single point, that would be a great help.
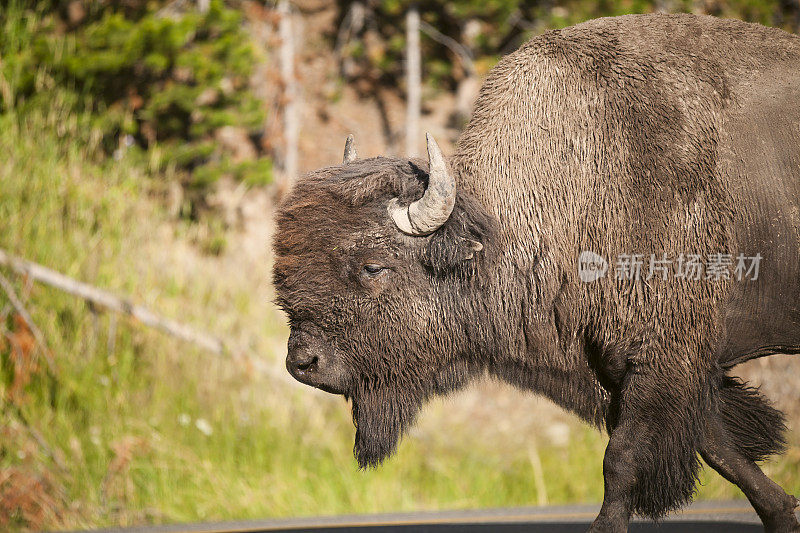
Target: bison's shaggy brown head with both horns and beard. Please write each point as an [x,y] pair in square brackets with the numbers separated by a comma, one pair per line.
[379,265]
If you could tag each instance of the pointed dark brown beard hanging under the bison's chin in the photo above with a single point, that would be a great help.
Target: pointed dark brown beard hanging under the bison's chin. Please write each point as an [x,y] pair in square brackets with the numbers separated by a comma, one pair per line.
[380,416]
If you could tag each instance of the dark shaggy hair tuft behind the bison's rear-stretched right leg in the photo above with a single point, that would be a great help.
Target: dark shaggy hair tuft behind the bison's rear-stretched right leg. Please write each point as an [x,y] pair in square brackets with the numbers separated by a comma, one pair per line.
[755,427]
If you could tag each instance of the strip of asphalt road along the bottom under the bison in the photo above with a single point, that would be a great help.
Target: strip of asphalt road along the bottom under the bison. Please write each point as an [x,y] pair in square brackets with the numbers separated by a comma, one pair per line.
[703,517]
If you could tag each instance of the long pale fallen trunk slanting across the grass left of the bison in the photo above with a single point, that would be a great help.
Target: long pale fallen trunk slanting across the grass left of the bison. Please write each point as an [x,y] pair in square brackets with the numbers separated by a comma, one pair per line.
[109,301]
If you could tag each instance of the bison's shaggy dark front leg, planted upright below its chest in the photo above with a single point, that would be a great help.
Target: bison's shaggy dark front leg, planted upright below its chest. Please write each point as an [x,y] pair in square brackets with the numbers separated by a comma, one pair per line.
[650,465]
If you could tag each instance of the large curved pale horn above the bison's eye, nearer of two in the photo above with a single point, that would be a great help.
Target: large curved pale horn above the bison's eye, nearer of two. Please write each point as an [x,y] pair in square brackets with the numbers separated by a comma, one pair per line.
[427,214]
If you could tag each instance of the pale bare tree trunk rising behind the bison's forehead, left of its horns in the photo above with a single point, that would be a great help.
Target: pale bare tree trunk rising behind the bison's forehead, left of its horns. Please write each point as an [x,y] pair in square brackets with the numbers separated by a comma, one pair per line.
[291,126]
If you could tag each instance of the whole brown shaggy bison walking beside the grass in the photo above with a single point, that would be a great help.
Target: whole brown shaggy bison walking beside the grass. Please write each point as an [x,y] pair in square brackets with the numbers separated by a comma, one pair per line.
[673,137]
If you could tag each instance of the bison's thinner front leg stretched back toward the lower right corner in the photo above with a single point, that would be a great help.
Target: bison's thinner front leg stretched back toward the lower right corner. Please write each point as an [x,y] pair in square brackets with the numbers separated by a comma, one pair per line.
[773,505]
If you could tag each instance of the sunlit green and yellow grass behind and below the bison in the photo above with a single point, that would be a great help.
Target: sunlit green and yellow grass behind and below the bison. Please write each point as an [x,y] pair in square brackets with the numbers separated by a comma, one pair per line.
[113,435]
